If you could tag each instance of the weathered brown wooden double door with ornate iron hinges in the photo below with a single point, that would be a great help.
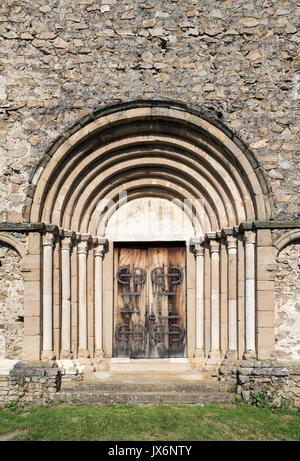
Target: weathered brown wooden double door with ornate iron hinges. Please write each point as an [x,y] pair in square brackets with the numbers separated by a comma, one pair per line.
[149,302]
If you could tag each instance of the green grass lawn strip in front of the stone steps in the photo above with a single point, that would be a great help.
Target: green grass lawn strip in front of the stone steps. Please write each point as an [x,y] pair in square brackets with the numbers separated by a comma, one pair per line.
[149,423]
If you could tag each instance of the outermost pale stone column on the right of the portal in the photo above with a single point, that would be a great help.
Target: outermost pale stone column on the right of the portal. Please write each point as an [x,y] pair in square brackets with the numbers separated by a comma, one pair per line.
[250,352]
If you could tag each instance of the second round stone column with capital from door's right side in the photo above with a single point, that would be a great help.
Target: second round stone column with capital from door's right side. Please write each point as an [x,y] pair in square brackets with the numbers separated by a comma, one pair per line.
[214,354]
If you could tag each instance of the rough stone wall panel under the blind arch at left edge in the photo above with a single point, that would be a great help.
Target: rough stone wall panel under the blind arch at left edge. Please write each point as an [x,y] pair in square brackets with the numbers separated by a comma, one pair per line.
[11,303]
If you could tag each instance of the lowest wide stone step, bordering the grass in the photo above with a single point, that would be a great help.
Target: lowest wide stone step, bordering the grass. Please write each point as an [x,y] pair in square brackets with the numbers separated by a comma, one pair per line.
[99,398]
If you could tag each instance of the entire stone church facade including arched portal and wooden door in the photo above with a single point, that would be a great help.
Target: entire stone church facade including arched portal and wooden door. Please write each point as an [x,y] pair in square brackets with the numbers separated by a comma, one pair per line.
[150,192]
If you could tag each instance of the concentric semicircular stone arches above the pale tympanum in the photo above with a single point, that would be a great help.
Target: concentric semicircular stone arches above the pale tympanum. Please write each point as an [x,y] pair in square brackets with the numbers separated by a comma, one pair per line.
[163,141]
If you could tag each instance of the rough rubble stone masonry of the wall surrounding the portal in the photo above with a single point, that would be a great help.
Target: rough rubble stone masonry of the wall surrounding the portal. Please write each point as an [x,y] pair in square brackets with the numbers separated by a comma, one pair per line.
[236,60]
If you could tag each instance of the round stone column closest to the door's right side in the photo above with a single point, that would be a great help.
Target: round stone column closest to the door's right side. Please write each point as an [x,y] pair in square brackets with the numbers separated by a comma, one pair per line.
[199,255]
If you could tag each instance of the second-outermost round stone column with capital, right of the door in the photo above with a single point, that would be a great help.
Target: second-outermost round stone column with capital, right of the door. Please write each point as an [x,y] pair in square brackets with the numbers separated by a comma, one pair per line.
[232,297]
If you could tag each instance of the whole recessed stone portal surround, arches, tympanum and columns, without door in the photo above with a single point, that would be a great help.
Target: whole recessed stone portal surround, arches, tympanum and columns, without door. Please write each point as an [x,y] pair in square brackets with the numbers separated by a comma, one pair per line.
[121,170]
